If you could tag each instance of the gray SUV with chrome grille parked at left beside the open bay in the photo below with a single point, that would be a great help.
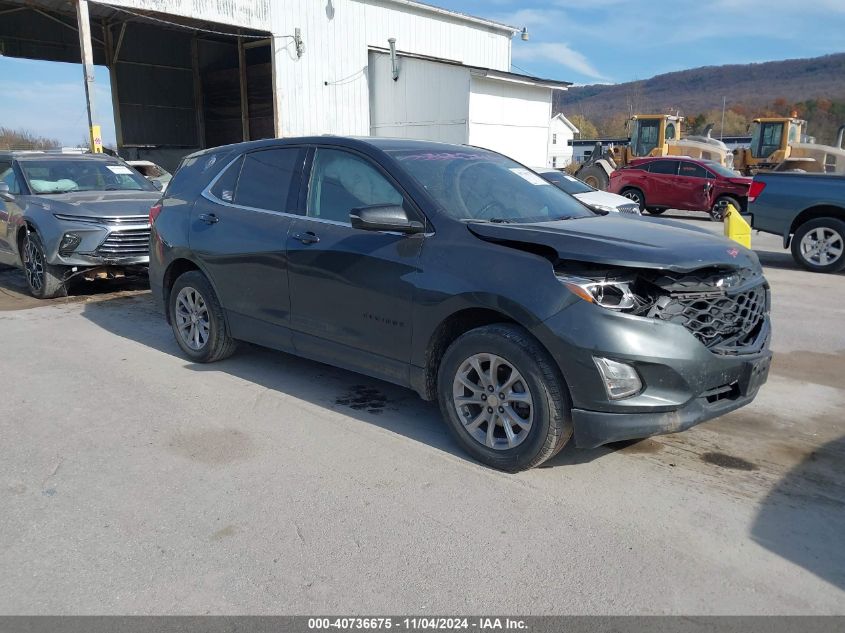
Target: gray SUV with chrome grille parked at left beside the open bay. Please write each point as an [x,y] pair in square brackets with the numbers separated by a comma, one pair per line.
[64,216]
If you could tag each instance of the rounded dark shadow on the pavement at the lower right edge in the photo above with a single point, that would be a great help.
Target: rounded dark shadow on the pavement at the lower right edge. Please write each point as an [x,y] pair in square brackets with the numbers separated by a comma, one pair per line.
[802,519]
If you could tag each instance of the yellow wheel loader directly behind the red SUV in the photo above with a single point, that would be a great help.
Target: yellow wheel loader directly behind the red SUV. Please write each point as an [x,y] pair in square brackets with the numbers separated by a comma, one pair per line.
[651,135]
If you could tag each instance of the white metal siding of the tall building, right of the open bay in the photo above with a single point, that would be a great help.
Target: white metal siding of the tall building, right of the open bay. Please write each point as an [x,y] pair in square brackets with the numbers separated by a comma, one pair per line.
[326,91]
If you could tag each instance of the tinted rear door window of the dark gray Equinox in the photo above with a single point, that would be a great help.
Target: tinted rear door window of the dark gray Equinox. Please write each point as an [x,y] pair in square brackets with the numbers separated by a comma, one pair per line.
[269,179]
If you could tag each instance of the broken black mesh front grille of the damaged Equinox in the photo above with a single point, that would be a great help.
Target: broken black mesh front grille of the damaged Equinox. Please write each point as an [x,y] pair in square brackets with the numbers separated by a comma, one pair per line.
[726,311]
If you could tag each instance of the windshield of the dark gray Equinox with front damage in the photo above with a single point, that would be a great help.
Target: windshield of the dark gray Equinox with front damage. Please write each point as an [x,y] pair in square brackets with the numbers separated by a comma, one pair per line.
[474,184]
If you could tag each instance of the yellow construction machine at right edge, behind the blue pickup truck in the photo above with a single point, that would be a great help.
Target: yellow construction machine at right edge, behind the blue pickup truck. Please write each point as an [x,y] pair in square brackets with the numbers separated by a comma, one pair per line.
[782,144]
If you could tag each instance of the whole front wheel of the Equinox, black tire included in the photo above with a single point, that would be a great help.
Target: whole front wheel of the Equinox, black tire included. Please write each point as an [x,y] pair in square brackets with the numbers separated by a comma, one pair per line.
[536,396]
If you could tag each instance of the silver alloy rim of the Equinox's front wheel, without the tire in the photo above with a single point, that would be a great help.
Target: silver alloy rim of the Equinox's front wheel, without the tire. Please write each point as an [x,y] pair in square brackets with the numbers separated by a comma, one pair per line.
[492,401]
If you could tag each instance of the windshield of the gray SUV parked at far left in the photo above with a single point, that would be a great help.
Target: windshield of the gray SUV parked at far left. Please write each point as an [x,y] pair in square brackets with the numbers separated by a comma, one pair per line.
[65,175]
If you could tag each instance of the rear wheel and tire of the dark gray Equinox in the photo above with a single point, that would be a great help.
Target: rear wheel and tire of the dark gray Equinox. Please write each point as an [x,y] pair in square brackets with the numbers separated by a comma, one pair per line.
[205,338]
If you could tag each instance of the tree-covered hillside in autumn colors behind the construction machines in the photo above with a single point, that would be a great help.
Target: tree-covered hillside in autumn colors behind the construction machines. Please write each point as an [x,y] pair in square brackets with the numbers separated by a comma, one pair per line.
[814,88]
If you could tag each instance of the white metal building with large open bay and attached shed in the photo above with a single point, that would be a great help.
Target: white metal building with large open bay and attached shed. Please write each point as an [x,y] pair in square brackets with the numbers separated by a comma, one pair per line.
[195,73]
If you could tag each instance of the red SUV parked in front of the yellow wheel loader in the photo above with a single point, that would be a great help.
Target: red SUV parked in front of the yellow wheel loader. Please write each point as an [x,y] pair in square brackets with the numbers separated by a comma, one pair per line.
[678,182]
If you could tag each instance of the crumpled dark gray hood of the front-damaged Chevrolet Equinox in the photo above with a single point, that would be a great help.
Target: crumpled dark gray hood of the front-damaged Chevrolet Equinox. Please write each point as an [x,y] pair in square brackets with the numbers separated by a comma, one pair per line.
[625,241]
